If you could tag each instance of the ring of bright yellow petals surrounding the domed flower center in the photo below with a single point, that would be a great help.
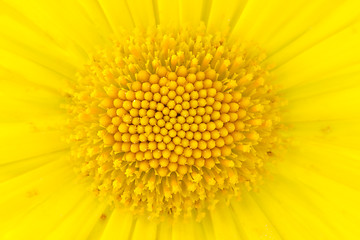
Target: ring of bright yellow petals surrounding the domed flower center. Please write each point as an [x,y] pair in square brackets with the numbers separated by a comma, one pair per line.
[311,191]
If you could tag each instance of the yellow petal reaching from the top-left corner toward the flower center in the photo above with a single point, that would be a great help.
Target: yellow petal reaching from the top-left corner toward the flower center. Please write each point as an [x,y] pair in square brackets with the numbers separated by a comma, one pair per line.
[71,28]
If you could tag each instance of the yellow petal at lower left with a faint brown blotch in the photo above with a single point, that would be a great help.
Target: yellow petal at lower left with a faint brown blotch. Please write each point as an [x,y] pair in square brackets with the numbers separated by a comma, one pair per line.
[27,197]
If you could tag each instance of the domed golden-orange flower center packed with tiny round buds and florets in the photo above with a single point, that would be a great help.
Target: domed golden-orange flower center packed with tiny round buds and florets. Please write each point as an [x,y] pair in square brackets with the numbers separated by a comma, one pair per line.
[169,123]
